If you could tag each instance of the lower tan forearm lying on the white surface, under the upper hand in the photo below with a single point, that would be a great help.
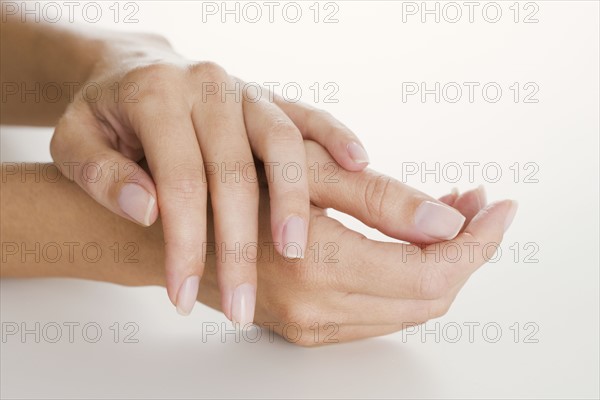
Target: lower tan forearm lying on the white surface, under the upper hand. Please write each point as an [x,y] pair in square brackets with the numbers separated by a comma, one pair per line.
[54,229]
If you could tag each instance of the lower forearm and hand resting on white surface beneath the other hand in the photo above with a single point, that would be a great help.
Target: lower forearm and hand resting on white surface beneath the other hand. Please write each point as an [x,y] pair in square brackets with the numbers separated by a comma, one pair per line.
[363,287]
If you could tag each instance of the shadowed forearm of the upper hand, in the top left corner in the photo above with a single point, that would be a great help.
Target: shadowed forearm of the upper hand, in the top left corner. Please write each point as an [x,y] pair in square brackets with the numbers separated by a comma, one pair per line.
[35,56]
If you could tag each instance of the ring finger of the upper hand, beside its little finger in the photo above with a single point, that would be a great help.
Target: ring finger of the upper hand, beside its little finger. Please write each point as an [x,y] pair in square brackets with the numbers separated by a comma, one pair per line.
[278,143]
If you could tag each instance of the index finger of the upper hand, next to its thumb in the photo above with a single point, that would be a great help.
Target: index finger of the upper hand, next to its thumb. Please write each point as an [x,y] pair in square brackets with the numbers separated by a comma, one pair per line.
[164,126]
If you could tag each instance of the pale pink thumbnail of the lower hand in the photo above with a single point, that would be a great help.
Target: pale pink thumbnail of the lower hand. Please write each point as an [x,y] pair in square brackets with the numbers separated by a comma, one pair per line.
[438,220]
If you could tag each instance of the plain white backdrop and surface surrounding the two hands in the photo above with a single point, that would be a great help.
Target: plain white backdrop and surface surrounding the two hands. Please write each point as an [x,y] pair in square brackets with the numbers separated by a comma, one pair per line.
[538,302]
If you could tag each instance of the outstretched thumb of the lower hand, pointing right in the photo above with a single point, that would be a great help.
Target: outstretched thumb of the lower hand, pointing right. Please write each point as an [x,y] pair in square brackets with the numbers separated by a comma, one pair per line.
[381,202]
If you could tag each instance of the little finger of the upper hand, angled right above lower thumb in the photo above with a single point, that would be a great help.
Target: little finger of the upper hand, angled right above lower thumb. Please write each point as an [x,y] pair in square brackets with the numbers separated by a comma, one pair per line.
[322,127]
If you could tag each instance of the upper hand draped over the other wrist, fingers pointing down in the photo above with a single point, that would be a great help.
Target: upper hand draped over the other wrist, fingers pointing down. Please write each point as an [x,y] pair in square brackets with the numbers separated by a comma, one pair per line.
[182,116]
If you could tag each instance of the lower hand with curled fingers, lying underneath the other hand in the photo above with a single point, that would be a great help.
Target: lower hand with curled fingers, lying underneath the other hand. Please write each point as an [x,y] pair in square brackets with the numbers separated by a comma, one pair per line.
[352,287]
